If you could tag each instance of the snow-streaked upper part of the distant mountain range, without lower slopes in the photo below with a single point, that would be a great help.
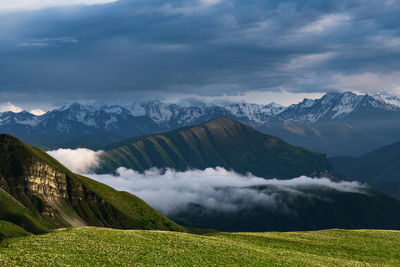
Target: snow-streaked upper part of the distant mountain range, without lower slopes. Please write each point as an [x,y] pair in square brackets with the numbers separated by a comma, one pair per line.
[160,115]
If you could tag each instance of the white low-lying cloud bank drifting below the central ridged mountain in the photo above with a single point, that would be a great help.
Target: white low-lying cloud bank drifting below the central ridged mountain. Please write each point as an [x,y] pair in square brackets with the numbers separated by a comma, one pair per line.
[171,191]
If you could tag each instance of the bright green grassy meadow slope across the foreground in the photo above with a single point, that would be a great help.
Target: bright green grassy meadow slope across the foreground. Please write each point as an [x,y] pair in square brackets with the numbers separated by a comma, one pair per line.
[99,246]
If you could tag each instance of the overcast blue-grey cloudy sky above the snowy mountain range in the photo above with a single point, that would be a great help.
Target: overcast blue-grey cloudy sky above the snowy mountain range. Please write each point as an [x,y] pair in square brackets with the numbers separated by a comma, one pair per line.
[52,51]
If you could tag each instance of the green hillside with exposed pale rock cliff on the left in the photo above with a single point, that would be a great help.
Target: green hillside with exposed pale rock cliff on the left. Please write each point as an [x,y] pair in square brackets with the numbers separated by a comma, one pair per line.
[38,194]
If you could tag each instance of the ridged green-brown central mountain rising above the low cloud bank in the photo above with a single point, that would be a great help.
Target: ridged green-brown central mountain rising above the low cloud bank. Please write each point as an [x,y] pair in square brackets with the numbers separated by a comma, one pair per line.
[220,142]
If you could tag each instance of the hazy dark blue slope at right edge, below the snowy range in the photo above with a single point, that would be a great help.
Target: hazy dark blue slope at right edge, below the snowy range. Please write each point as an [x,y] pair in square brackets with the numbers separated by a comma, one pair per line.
[380,168]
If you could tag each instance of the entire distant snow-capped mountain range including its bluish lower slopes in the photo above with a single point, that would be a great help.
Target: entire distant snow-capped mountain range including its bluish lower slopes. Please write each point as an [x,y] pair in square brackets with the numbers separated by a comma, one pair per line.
[337,124]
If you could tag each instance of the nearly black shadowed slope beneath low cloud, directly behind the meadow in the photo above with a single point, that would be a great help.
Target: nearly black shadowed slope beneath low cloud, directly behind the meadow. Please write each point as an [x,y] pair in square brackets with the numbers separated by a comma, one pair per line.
[308,209]
